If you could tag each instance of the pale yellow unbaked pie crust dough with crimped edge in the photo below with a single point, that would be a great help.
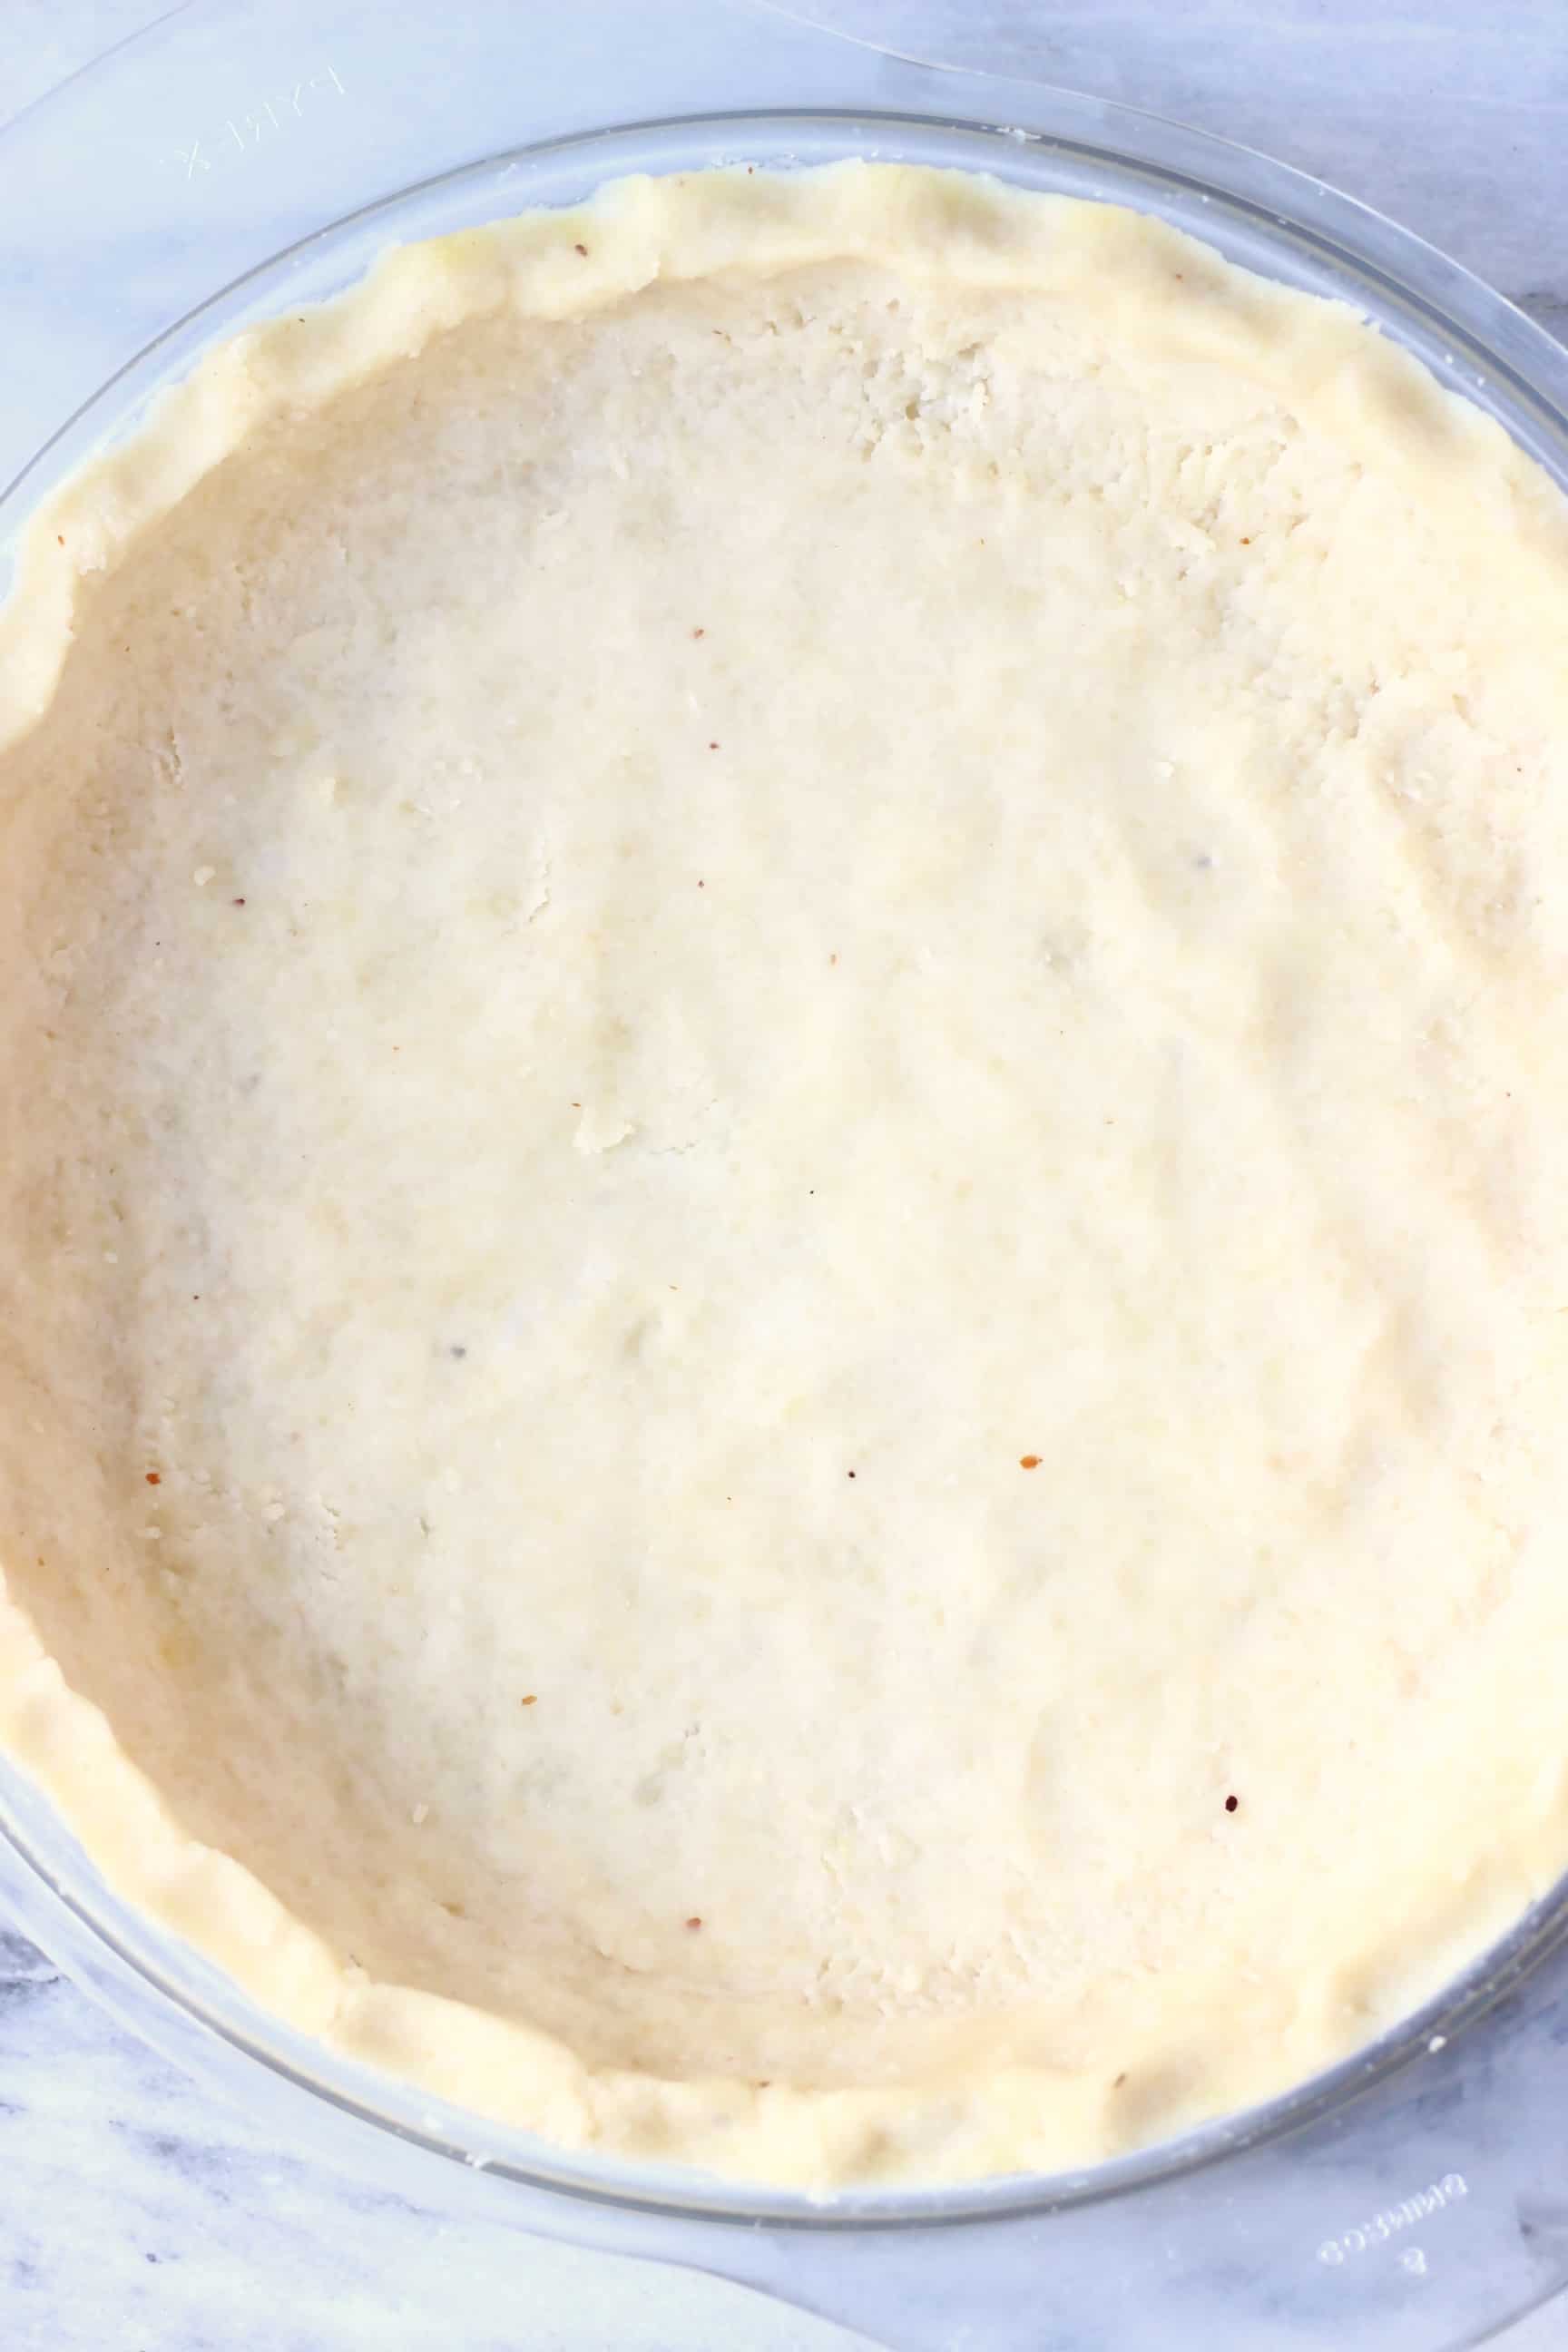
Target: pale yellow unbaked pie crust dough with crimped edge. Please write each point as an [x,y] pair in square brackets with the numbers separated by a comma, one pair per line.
[674,888]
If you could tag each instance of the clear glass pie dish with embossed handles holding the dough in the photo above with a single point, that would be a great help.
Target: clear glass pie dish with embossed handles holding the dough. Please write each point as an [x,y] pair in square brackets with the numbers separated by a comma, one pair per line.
[227,166]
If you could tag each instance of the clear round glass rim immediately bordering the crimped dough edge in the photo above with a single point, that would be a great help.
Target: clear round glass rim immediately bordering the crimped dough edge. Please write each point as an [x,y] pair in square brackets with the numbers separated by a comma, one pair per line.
[1492,352]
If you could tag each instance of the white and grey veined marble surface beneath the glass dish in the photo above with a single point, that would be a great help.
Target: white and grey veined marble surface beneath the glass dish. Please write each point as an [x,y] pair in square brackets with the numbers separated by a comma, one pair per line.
[135,2212]
